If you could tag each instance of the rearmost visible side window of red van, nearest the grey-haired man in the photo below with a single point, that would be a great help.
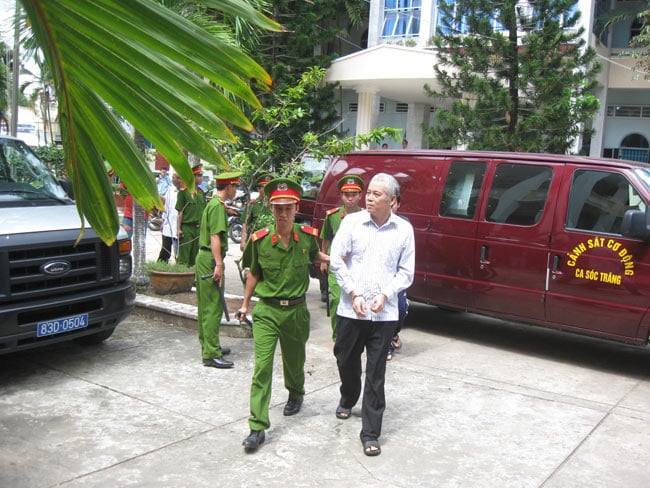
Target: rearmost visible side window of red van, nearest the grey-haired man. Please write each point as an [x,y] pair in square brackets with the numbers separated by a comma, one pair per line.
[462,189]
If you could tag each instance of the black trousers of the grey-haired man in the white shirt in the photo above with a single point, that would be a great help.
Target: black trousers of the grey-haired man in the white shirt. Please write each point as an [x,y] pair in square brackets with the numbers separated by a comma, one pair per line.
[352,337]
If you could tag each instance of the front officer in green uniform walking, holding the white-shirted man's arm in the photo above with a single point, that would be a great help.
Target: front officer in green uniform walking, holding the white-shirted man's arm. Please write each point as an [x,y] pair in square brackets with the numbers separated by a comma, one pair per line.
[279,260]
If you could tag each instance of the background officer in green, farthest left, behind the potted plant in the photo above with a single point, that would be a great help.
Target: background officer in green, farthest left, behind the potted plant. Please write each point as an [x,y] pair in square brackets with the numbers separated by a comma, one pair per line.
[190,209]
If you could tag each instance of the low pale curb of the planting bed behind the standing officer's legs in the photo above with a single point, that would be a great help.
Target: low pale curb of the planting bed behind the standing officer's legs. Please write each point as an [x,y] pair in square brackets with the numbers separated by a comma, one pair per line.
[183,315]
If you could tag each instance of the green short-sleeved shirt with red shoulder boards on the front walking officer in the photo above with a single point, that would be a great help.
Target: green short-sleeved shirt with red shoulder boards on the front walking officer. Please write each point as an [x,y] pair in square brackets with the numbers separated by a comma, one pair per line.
[282,272]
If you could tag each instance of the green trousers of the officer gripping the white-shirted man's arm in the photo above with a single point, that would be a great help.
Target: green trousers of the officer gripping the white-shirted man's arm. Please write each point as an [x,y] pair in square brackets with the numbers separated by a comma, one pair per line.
[291,326]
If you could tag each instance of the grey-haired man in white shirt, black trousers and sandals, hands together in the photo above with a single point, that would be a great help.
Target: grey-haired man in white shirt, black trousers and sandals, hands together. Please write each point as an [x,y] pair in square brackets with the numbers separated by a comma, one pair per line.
[373,259]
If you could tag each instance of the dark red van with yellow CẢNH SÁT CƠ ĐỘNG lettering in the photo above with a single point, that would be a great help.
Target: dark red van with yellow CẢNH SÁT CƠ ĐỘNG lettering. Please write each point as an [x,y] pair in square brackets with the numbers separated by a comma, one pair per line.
[553,240]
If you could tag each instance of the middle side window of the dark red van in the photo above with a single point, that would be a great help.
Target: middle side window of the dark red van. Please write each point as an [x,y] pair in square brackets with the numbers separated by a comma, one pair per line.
[518,194]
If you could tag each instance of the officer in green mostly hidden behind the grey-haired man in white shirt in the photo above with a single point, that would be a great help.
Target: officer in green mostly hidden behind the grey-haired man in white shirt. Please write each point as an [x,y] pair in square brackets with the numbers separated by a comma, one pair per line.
[350,187]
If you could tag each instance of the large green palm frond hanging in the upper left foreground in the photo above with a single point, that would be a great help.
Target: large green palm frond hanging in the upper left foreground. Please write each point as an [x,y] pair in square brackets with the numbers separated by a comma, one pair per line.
[159,71]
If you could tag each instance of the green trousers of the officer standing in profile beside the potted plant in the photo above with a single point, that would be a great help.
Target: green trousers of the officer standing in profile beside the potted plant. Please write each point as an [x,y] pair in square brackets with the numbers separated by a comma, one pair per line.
[210,308]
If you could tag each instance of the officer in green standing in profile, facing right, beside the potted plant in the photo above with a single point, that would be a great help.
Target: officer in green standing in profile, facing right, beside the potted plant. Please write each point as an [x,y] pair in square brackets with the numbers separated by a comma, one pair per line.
[213,244]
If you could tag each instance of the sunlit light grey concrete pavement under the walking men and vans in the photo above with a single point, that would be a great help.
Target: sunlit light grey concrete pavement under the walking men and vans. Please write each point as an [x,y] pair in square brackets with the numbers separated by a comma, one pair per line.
[472,402]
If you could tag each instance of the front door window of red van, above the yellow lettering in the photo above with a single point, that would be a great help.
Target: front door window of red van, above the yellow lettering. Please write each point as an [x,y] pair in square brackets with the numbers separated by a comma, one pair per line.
[598,201]
